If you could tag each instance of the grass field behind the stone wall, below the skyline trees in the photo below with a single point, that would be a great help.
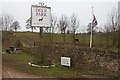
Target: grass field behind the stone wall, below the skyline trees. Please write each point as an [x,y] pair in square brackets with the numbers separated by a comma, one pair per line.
[98,40]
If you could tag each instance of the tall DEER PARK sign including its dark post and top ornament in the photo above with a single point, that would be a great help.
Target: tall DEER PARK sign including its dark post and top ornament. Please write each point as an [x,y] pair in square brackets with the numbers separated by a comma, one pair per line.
[41,17]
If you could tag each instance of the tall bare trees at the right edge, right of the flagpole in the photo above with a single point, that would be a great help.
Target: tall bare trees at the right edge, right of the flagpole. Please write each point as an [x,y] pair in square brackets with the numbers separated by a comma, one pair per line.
[112,29]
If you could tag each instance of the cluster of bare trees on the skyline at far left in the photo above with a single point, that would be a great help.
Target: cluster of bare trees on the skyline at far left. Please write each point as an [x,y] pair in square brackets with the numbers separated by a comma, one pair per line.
[8,23]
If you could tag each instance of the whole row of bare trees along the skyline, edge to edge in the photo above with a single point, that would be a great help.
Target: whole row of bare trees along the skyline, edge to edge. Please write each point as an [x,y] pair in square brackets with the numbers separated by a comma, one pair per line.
[69,25]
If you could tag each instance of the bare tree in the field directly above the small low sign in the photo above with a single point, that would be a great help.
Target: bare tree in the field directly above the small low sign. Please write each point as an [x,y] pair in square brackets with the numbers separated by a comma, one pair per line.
[62,25]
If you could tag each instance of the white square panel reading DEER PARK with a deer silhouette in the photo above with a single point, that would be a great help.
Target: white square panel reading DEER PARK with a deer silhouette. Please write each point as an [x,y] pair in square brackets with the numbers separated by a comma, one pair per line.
[41,16]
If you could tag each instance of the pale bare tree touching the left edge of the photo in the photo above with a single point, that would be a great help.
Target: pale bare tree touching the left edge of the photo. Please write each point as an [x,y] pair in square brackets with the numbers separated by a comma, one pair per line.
[5,21]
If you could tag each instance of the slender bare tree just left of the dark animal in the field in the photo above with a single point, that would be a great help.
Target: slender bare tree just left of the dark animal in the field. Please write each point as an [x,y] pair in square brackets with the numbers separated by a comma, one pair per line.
[74,24]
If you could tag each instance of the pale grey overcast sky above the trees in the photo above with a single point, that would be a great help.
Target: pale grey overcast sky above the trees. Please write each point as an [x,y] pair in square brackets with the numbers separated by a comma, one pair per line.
[20,9]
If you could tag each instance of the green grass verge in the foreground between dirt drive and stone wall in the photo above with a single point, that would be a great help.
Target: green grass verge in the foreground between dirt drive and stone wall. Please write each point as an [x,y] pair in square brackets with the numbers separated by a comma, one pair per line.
[20,61]
